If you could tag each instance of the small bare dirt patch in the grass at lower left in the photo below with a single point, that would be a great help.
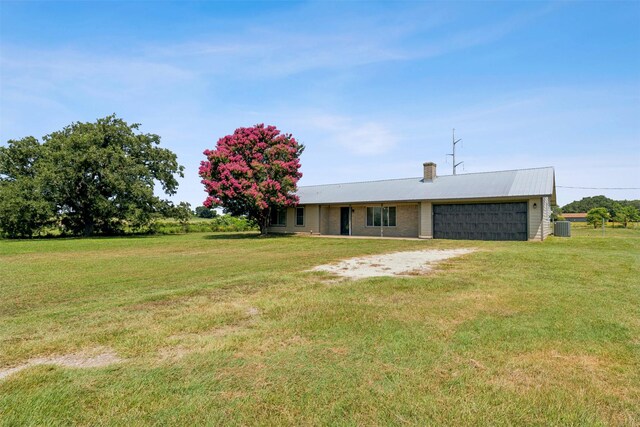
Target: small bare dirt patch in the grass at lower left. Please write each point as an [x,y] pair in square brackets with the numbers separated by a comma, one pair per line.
[93,359]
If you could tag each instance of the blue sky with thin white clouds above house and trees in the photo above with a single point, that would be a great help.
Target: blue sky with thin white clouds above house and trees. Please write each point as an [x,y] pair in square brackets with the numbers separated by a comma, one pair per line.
[372,89]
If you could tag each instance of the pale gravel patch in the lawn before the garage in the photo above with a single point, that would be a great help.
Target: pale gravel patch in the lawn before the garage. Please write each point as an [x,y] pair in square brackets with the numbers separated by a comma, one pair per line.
[410,263]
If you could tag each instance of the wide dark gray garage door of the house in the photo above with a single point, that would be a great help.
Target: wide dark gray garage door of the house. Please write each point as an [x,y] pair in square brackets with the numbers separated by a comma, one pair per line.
[481,221]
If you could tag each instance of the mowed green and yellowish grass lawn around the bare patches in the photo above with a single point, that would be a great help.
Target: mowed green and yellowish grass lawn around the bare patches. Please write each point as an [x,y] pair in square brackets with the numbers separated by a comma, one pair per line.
[229,329]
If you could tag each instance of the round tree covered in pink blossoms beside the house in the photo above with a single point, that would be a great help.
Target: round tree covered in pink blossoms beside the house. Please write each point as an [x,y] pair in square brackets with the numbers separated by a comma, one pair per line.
[252,172]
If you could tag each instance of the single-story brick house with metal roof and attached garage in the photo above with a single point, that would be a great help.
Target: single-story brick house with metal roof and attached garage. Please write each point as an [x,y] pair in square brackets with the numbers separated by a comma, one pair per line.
[504,205]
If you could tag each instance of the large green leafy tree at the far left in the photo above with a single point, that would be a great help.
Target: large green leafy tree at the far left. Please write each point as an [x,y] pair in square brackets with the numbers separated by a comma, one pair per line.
[87,178]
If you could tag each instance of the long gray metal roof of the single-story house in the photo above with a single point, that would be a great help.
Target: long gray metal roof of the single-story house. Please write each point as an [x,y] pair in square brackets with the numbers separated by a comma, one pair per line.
[513,183]
